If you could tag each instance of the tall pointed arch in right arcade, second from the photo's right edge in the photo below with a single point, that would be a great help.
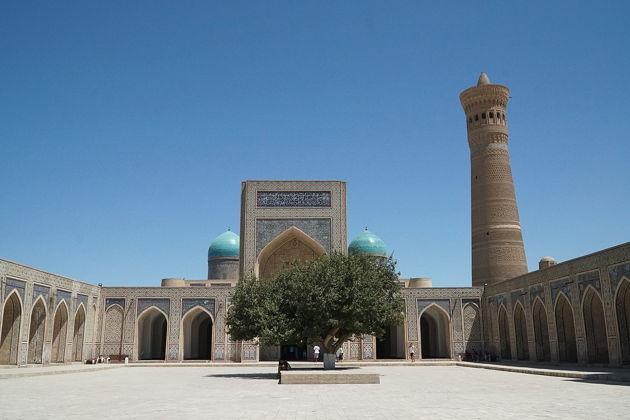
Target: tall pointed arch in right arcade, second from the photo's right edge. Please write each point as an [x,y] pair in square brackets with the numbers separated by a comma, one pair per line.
[595,326]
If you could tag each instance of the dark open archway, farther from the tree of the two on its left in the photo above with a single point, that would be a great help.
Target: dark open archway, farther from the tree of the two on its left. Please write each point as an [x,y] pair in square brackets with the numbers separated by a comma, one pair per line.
[152,335]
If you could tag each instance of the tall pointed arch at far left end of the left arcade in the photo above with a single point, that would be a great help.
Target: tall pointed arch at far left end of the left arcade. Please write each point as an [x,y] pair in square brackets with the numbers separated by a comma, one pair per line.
[10,329]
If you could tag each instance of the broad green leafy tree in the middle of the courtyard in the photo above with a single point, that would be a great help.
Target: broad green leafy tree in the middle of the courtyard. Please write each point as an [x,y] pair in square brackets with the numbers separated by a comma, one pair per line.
[326,301]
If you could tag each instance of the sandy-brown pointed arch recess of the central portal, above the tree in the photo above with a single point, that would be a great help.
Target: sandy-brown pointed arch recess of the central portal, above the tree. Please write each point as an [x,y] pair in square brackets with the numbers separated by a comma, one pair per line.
[291,245]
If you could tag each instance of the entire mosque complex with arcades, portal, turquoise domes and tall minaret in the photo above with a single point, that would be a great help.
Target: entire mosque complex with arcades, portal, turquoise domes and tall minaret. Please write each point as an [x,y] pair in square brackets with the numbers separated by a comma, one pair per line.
[577,311]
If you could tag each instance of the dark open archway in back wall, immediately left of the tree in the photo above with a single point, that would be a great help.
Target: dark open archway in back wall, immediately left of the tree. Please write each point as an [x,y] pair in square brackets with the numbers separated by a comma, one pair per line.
[197,335]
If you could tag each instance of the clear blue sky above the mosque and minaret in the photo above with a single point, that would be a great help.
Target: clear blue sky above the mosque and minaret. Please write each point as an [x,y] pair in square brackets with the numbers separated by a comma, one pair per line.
[126,127]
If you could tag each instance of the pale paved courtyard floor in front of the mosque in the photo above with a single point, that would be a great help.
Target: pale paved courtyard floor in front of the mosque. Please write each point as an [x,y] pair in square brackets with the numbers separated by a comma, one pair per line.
[253,393]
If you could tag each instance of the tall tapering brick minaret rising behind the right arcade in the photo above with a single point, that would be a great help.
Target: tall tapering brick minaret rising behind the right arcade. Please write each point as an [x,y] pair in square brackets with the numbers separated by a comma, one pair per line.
[498,252]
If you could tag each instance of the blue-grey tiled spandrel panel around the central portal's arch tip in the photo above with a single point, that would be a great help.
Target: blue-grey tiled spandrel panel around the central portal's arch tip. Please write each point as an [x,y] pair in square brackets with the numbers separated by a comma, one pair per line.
[268,229]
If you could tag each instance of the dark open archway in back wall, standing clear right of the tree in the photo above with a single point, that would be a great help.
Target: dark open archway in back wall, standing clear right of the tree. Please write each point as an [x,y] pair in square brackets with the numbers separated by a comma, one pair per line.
[435,333]
